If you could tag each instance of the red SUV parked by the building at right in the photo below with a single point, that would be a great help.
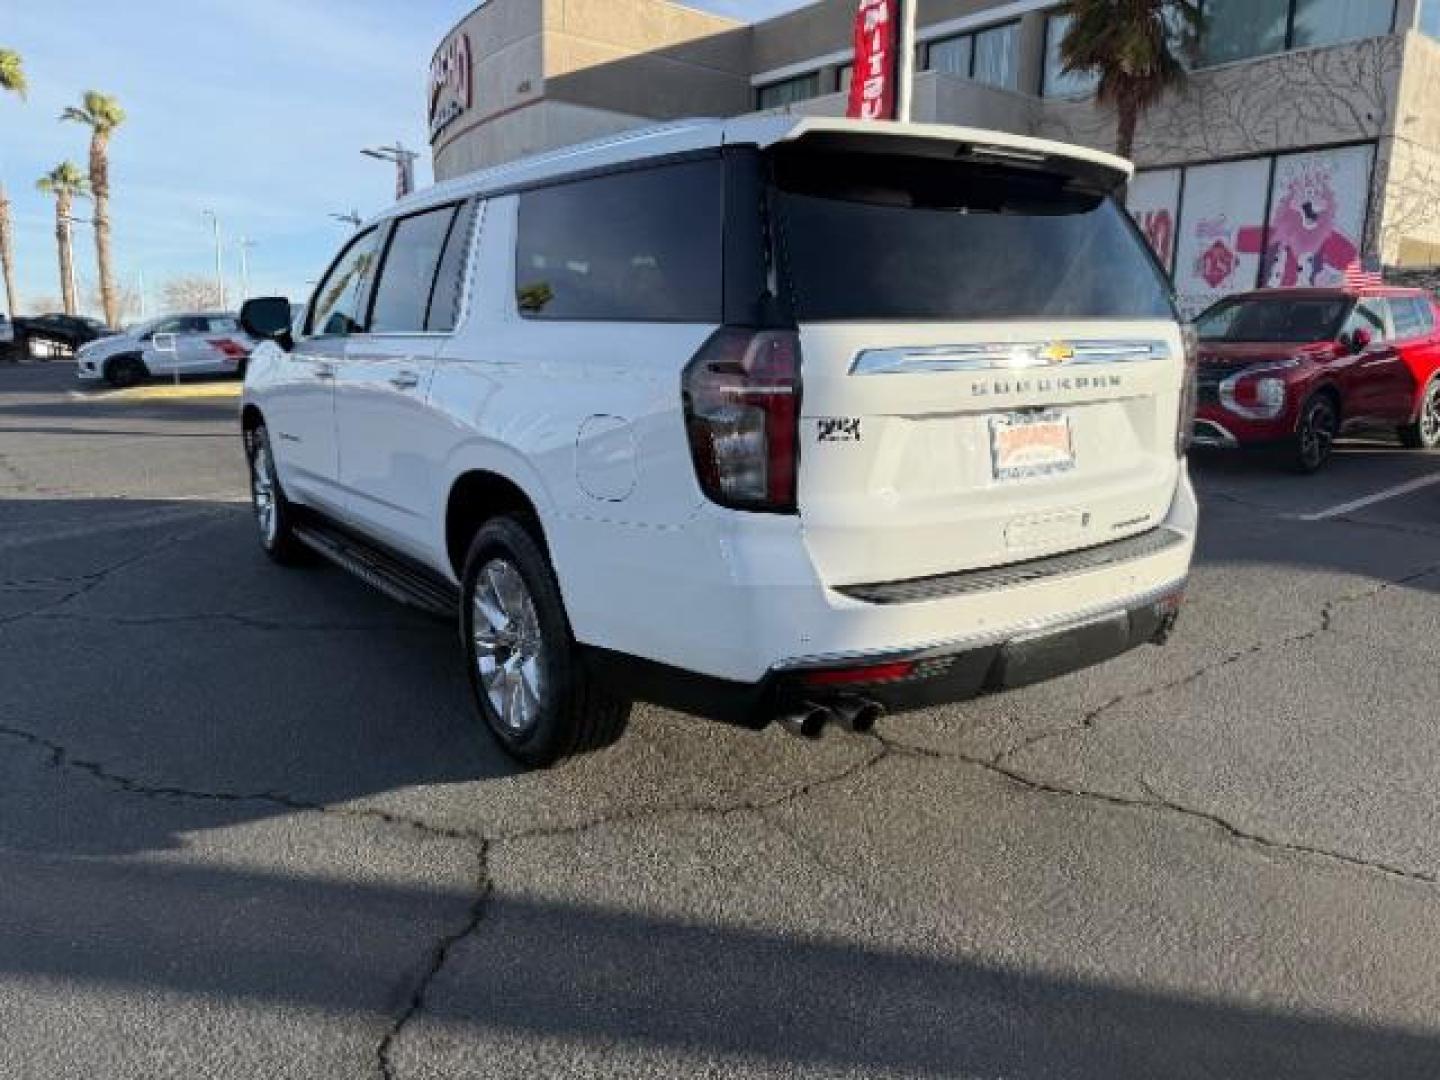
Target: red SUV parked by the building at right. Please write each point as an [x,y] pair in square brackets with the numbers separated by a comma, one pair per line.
[1292,369]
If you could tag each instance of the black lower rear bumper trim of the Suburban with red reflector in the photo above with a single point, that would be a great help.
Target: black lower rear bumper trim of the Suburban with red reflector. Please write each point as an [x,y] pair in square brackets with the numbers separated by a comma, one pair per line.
[906,679]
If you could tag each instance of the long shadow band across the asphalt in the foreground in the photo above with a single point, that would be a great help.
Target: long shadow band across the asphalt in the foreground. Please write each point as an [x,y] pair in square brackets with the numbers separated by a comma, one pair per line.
[644,984]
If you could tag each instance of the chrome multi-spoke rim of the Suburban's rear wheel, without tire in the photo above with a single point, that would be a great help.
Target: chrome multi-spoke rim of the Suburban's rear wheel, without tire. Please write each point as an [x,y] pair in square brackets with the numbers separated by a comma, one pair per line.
[509,652]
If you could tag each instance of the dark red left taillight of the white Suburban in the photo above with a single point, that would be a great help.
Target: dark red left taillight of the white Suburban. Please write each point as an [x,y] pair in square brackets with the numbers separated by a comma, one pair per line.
[742,414]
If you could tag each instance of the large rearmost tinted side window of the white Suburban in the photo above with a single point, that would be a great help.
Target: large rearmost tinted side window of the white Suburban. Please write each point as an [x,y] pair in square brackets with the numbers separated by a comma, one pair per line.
[636,247]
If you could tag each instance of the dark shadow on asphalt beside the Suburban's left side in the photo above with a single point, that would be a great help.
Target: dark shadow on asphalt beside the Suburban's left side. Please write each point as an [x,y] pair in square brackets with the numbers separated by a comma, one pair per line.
[152,646]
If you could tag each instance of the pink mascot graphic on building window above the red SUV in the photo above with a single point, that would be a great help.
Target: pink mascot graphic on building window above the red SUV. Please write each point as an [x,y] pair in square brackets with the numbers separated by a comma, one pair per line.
[1307,246]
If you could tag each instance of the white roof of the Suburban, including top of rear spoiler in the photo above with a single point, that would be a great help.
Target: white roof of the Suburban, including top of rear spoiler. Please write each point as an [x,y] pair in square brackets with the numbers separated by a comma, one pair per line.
[757,130]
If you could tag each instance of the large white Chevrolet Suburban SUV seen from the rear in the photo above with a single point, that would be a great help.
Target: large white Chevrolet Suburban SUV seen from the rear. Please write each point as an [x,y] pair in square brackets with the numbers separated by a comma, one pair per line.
[761,420]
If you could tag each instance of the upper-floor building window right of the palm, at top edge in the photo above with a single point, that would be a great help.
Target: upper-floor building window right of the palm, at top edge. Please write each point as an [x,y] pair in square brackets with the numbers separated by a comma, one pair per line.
[1242,30]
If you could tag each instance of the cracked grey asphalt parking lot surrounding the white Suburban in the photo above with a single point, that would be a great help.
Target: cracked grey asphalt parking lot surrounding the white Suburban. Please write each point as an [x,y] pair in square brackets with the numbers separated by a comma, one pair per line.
[248,829]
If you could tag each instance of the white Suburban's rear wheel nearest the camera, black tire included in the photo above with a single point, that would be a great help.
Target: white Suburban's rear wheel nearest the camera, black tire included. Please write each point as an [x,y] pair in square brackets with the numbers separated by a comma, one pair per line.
[526,673]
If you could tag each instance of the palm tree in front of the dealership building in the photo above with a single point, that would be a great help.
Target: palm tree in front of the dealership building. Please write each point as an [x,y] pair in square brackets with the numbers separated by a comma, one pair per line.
[1137,48]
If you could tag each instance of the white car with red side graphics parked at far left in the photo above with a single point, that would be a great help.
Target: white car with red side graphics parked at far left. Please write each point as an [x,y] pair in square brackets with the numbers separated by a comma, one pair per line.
[201,343]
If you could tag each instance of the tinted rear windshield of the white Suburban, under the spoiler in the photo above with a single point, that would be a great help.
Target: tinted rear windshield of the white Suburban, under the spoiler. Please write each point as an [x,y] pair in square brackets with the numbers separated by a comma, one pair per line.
[886,237]
